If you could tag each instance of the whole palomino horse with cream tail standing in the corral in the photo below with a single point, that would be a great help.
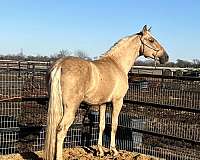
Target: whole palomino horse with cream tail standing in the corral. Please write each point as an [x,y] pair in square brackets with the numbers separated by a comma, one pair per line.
[74,80]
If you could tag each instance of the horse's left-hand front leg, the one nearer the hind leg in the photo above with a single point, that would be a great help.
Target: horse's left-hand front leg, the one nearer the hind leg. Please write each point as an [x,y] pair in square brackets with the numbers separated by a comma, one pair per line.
[102,111]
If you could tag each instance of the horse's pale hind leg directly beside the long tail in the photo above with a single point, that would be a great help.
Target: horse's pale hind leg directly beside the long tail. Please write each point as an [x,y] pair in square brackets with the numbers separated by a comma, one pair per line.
[67,120]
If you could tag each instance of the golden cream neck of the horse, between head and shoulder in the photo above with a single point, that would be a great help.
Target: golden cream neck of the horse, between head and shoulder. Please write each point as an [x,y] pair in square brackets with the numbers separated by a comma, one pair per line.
[125,55]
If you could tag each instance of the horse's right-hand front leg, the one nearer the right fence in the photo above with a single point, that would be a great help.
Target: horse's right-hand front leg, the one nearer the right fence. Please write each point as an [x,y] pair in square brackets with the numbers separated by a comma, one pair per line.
[117,105]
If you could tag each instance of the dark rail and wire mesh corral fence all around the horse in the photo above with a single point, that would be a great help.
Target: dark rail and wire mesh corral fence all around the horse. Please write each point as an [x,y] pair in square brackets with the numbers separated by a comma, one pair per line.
[160,115]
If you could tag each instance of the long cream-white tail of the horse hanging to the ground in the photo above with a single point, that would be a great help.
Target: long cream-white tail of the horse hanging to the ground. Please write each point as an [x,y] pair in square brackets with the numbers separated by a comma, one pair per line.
[55,112]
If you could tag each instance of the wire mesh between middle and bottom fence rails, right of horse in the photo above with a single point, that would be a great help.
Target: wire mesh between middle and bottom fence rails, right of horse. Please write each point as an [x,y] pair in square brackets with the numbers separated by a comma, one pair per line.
[169,122]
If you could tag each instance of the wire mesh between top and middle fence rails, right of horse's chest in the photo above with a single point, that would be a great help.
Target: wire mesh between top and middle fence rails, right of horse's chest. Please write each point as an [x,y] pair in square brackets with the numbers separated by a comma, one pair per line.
[180,91]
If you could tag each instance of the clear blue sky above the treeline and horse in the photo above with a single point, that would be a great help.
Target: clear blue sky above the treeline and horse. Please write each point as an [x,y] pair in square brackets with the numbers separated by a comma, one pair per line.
[43,27]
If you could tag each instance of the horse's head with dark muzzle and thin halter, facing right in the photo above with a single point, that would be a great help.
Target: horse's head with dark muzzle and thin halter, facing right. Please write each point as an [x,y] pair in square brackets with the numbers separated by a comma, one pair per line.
[150,47]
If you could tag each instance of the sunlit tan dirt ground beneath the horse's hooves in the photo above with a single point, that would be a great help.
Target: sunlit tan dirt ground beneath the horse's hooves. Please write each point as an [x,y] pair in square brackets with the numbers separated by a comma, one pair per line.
[81,154]
